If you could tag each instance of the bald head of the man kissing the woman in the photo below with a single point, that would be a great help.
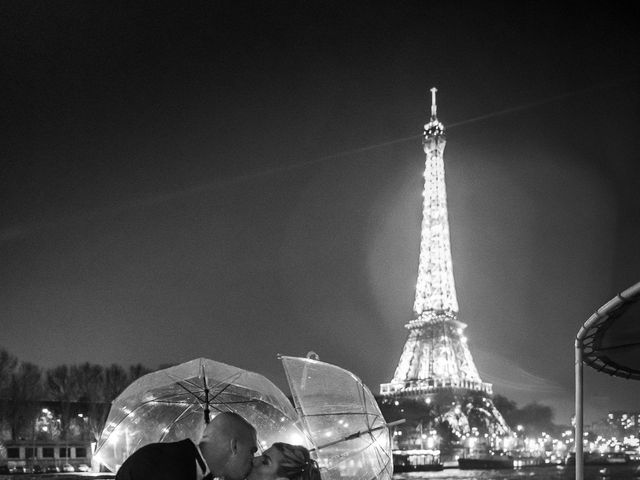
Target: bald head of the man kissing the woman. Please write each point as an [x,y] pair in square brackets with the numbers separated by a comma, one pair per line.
[228,445]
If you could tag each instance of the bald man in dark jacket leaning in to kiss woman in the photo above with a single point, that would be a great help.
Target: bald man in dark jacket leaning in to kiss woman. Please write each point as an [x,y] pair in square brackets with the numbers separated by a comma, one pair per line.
[227,449]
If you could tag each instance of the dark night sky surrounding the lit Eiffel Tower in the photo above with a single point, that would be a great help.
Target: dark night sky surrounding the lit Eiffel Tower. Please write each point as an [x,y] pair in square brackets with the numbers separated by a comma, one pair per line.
[235,180]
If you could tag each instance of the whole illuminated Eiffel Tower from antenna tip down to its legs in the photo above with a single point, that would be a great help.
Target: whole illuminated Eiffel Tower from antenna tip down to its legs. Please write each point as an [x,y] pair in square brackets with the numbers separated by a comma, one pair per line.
[436,365]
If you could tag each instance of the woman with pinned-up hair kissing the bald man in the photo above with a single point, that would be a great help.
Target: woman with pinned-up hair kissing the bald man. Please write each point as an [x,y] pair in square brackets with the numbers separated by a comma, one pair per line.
[283,461]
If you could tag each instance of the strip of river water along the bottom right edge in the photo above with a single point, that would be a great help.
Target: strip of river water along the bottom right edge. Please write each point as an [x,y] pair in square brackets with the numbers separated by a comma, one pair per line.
[591,472]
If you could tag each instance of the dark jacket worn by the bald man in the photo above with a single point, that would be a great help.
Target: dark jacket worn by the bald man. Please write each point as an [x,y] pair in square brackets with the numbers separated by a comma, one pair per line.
[162,461]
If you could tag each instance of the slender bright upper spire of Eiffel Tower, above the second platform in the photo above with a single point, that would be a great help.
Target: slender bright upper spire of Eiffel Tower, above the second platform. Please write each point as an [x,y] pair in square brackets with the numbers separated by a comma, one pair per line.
[435,289]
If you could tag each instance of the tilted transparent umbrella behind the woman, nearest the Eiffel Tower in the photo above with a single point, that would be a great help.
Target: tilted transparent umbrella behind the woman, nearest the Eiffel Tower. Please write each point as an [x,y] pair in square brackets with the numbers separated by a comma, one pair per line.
[341,417]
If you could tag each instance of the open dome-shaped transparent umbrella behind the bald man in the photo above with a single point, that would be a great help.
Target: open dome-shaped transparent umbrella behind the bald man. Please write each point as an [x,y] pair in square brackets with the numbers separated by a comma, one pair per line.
[175,403]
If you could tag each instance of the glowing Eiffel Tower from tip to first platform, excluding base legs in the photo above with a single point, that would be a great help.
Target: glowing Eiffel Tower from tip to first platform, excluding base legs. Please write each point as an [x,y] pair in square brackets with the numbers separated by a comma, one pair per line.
[435,355]
